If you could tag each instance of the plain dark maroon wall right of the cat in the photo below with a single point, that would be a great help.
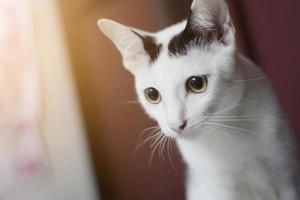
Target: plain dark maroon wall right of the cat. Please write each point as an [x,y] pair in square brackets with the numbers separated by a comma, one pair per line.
[274,29]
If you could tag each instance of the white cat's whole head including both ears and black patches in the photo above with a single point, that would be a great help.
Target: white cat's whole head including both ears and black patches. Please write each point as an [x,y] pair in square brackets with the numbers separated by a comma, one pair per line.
[180,71]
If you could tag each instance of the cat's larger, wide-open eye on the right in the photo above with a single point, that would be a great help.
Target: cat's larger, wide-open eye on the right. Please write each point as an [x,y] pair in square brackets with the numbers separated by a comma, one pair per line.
[196,84]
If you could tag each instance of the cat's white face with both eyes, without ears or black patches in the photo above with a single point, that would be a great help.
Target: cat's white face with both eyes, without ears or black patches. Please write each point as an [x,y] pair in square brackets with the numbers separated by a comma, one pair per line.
[178,92]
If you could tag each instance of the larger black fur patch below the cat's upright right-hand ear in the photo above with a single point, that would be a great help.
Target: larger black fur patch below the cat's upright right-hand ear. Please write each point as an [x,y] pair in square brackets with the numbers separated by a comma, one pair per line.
[193,35]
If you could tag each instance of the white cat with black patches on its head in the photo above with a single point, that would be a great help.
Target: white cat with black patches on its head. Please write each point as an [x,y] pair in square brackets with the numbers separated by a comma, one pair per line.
[216,104]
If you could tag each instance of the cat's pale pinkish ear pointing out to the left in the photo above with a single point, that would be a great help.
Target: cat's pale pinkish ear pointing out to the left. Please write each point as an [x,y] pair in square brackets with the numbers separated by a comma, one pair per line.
[127,41]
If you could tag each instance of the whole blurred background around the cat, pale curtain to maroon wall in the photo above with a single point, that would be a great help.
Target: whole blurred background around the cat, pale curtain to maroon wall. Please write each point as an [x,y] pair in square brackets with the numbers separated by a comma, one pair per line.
[69,120]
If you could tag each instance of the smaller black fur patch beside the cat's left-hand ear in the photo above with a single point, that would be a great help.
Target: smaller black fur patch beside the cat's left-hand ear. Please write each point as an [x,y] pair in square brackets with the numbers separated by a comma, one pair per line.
[150,46]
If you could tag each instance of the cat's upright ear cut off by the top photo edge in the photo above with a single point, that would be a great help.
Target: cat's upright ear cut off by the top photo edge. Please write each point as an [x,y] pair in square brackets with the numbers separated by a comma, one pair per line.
[212,19]
